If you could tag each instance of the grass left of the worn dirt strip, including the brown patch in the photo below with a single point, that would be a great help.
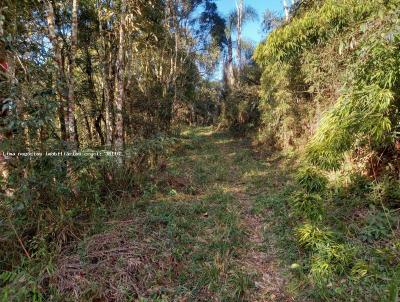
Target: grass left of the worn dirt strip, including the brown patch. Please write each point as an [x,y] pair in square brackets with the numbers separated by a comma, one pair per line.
[186,241]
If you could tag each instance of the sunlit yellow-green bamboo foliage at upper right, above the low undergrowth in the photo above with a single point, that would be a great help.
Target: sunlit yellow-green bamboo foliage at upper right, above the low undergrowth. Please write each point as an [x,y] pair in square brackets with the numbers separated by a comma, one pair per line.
[301,55]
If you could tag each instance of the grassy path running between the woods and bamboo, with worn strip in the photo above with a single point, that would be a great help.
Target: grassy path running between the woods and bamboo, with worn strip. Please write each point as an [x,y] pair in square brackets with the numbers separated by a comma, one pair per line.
[202,233]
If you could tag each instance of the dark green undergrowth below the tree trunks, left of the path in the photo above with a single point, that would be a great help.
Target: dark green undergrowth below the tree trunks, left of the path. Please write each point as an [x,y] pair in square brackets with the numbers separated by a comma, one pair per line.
[56,197]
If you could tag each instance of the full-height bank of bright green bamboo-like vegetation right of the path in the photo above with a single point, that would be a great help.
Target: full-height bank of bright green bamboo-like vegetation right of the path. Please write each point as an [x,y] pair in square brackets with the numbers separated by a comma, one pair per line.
[330,90]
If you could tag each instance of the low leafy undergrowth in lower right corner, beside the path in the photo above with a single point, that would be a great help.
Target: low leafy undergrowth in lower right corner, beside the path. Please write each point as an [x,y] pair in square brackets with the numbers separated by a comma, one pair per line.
[339,243]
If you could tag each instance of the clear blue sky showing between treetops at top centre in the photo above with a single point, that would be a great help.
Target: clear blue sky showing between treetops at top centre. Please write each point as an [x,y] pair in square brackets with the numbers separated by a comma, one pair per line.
[252,30]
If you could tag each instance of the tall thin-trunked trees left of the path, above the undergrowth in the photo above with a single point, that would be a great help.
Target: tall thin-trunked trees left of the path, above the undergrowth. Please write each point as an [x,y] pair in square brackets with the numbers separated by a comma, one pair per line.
[109,71]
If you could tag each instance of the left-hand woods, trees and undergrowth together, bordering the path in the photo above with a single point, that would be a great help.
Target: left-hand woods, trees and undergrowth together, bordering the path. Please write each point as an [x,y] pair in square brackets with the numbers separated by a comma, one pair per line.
[93,75]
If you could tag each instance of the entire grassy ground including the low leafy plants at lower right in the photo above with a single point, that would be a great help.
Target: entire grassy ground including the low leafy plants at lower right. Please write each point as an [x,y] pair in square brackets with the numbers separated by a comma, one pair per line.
[224,223]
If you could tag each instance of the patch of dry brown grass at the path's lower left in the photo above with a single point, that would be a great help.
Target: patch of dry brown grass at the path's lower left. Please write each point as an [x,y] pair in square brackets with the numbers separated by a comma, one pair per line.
[113,264]
